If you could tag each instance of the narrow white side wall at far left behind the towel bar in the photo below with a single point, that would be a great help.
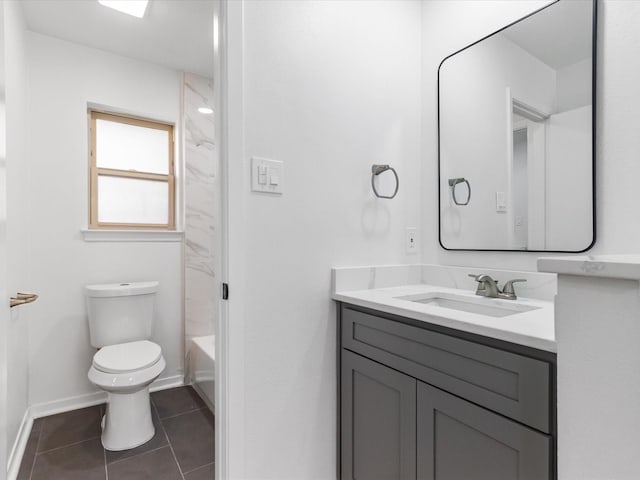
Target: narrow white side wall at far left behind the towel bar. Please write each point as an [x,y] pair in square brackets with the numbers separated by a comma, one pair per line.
[17,213]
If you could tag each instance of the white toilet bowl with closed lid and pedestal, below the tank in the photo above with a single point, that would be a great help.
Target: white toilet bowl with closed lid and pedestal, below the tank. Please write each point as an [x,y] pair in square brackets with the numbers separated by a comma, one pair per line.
[125,371]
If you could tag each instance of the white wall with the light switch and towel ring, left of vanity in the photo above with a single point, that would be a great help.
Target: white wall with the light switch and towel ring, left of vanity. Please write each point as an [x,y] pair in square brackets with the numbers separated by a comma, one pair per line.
[329,88]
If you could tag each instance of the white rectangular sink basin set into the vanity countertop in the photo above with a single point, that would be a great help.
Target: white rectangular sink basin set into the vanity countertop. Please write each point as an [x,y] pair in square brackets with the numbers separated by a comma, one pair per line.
[491,307]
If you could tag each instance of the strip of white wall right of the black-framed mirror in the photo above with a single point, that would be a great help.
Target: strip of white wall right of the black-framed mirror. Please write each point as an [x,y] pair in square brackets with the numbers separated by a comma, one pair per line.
[618,123]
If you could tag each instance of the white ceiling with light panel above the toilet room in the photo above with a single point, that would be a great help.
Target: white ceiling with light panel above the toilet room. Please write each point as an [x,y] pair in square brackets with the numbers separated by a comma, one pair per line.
[174,33]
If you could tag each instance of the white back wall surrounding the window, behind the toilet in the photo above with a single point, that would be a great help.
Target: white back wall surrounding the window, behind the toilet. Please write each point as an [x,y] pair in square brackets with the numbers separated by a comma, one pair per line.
[63,78]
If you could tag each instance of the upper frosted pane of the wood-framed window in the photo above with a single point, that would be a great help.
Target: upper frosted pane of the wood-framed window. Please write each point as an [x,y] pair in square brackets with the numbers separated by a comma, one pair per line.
[131,147]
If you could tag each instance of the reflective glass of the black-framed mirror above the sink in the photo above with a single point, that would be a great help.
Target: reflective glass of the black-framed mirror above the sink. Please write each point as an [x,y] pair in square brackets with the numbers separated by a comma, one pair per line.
[516,124]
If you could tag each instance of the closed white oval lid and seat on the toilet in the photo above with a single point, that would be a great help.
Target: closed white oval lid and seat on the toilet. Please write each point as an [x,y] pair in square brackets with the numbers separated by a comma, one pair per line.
[127,357]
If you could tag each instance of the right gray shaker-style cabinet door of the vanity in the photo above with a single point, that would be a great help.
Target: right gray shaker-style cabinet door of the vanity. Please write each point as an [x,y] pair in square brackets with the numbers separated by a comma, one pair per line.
[457,440]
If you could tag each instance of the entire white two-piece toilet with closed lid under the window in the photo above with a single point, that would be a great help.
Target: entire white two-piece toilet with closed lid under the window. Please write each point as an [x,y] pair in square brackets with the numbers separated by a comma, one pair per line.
[120,319]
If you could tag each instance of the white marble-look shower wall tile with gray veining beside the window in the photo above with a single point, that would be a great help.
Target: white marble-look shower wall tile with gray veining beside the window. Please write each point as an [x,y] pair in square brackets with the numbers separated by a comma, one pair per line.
[200,197]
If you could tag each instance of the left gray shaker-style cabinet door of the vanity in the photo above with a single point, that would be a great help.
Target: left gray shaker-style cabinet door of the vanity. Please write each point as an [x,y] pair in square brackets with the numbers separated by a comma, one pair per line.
[378,417]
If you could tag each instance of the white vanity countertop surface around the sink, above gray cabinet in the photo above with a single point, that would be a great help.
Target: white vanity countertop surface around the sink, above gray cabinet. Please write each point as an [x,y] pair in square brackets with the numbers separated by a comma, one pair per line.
[534,328]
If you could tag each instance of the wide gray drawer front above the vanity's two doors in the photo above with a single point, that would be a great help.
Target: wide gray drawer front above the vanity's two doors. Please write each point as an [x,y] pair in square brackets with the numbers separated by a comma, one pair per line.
[513,385]
